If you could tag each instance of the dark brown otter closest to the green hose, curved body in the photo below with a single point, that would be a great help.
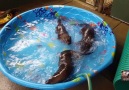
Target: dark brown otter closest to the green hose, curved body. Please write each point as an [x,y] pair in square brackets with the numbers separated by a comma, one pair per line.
[65,67]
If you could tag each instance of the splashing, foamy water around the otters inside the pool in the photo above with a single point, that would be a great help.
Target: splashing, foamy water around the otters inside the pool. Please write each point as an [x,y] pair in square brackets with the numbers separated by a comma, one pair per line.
[32,53]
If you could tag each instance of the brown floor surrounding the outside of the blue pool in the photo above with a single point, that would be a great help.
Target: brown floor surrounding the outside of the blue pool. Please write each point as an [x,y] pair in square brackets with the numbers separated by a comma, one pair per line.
[103,81]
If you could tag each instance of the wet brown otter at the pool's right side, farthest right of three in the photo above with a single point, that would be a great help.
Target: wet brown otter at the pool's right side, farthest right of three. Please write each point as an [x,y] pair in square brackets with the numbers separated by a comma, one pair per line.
[88,35]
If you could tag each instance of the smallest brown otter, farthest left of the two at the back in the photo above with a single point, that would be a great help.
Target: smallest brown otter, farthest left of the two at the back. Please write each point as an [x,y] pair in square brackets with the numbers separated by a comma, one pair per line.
[62,33]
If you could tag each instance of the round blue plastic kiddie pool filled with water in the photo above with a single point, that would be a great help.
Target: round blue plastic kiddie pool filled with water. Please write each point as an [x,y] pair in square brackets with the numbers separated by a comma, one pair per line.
[29,48]
